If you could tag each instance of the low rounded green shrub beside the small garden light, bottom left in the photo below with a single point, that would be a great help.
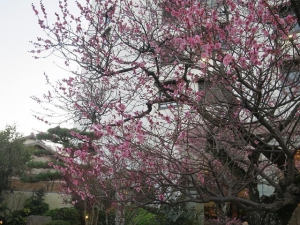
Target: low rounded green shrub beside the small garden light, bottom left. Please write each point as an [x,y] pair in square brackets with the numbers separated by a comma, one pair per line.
[70,215]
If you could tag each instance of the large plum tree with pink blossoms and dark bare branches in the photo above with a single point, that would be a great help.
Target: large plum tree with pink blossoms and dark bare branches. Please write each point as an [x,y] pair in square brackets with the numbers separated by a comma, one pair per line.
[188,101]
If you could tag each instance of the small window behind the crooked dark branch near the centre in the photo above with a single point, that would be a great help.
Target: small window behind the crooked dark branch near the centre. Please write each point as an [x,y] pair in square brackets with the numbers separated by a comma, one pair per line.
[169,86]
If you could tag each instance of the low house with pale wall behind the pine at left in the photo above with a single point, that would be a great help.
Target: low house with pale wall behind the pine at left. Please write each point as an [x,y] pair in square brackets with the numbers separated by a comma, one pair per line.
[37,177]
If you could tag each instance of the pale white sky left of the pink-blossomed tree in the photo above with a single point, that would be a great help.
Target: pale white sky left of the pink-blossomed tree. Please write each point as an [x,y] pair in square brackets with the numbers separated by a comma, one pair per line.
[21,76]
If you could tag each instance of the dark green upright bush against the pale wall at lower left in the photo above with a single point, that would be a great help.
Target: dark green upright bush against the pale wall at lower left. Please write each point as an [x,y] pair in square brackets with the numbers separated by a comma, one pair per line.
[36,203]
